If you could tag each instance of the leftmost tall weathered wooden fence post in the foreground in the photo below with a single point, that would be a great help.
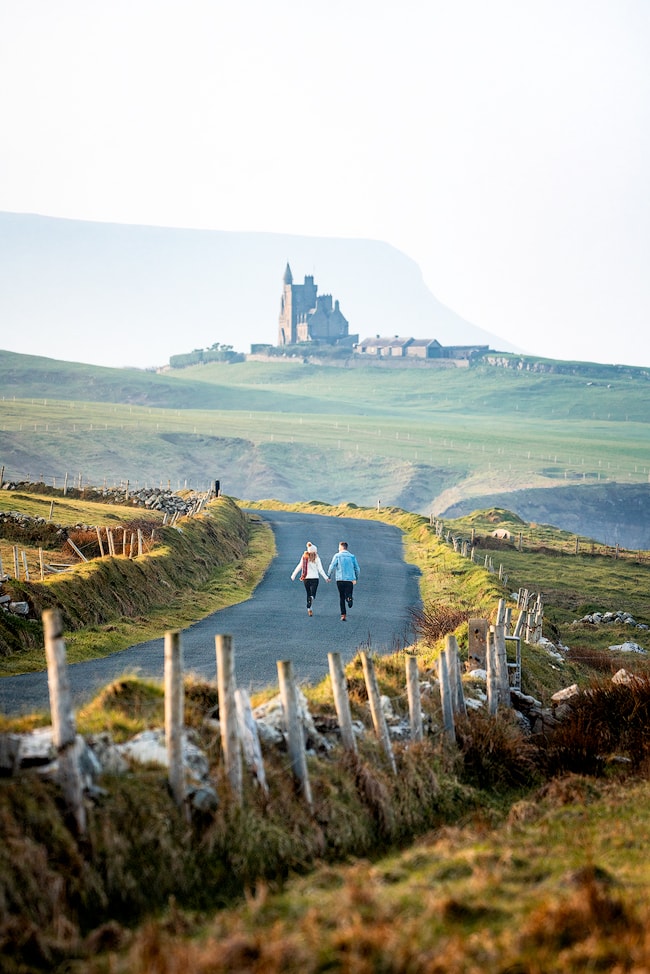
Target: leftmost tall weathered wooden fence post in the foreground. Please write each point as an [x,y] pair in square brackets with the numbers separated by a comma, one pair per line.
[64,734]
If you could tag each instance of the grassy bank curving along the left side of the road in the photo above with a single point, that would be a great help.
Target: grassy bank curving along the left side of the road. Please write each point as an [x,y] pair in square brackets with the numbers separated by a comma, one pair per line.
[196,567]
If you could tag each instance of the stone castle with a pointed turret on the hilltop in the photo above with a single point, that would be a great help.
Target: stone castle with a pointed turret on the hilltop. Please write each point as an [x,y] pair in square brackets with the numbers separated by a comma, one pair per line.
[306,316]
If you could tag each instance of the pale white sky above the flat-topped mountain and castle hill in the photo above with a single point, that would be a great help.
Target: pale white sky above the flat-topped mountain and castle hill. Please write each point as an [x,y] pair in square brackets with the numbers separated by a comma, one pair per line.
[503,145]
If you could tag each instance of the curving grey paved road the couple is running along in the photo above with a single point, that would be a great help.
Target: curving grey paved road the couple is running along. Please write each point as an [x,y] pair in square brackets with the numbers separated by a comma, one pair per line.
[273,624]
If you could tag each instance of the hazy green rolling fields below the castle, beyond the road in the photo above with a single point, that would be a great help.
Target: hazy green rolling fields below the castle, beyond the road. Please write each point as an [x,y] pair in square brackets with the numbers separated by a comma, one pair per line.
[416,438]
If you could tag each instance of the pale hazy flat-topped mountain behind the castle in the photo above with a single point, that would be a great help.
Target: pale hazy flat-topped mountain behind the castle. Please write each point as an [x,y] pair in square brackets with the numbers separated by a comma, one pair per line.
[112,294]
